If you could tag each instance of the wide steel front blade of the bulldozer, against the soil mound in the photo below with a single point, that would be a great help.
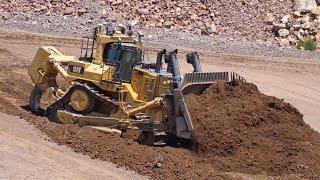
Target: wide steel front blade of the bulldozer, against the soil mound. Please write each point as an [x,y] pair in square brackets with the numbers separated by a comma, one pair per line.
[194,83]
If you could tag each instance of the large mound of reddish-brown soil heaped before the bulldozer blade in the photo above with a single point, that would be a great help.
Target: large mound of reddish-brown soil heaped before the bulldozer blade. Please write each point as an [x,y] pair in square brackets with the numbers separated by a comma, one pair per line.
[246,131]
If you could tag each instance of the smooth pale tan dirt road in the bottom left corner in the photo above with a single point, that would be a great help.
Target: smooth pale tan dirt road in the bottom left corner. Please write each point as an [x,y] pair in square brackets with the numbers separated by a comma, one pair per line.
[25,153]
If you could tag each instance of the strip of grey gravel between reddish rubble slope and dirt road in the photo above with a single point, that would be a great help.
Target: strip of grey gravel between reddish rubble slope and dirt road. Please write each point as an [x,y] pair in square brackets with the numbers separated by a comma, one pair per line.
[80,26]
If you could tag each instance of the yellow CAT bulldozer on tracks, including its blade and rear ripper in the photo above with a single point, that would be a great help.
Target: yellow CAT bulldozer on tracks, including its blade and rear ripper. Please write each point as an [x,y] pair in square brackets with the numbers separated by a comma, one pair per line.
[112,88]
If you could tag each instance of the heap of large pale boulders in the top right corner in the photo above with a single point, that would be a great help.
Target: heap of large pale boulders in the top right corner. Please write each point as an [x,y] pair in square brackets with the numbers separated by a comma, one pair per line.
[301,24]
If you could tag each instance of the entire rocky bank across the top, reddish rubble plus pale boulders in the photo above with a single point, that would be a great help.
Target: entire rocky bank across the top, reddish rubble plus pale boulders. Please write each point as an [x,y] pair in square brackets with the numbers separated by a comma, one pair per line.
[289,21]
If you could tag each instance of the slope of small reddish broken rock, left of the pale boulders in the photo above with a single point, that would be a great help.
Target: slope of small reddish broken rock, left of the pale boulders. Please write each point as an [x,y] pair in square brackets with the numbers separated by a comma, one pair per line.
[196,16]
